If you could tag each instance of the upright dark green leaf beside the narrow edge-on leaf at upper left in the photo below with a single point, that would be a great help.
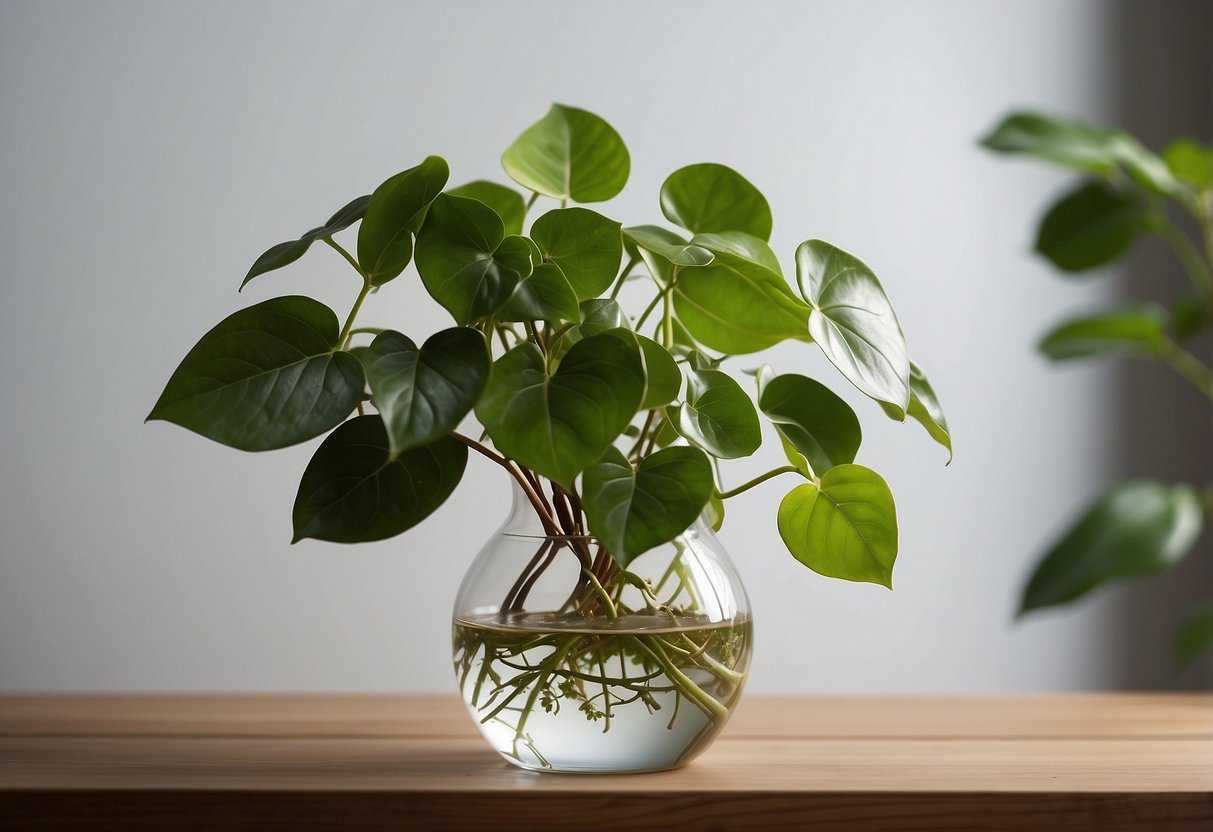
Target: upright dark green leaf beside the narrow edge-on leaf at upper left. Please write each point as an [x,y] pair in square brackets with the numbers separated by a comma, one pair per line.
[394,216]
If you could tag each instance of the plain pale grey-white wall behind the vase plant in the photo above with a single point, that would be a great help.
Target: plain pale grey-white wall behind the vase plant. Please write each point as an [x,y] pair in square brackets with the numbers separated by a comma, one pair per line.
[151,151]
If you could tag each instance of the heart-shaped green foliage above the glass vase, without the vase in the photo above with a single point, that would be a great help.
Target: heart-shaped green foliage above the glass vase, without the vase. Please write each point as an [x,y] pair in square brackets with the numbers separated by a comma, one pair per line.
[611,424]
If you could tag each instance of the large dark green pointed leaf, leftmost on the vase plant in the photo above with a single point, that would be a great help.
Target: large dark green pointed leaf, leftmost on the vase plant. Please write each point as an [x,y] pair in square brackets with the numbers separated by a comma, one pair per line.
[265,378]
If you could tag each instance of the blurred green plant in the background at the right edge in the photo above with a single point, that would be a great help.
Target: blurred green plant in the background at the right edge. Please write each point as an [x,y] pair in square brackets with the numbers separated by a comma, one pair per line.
[1140,527]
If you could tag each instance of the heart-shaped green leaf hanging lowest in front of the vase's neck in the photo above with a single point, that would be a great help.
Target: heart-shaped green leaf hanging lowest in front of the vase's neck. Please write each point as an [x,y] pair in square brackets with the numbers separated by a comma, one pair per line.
[634,511]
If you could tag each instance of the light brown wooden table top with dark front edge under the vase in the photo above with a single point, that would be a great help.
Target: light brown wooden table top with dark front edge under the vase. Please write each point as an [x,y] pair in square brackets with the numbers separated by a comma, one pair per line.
[1091,762]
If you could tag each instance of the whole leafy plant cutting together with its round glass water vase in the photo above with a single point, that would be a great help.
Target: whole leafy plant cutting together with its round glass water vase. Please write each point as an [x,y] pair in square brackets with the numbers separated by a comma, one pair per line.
[603,628]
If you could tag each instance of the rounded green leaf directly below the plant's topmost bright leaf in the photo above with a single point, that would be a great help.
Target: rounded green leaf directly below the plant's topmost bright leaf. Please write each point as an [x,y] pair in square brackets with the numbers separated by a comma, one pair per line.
[586,246]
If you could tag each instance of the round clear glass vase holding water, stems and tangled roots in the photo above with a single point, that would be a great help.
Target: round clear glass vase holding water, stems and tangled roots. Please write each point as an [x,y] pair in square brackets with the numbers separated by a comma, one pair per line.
[570,663]
